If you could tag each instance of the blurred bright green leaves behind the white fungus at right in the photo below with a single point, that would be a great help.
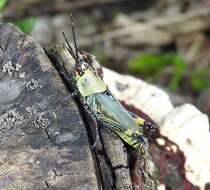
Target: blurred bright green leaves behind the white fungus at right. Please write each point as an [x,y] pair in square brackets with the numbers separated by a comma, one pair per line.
[153,65]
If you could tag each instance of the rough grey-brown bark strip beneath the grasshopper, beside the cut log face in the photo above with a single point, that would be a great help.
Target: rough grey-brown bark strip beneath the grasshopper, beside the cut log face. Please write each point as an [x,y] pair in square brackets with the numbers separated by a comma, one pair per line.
[120,167]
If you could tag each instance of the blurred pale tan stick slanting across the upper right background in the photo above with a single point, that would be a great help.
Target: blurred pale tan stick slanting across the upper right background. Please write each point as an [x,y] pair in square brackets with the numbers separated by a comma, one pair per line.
[174,24]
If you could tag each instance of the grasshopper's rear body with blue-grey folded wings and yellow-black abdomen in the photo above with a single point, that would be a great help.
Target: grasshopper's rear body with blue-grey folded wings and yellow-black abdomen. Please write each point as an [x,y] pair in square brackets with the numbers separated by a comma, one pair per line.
[113,116]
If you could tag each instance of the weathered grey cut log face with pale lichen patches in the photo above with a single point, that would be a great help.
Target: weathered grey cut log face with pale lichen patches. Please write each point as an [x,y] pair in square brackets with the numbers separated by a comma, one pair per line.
[58,157]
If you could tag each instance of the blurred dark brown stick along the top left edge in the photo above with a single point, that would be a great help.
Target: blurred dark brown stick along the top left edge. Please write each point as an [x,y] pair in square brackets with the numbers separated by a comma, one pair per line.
[19,9]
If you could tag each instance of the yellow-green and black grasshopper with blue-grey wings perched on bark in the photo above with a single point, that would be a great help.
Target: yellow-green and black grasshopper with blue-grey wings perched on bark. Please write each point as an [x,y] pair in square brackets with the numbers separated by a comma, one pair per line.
[96,98]
